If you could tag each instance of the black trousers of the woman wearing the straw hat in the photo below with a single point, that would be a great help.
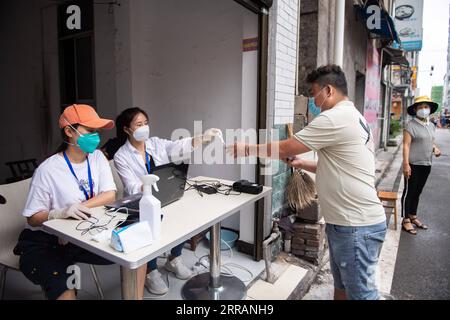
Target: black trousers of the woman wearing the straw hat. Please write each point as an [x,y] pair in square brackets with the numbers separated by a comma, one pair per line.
[413,189]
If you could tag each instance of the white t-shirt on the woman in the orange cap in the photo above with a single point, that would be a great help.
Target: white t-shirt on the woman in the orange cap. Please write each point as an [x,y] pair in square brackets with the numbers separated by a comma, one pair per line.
[54,187]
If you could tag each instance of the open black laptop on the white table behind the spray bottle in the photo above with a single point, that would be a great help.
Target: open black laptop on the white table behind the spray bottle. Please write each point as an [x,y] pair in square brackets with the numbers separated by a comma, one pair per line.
[171,187]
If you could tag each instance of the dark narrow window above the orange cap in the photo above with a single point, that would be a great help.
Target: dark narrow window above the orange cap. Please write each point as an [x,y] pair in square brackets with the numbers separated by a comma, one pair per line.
[76,56]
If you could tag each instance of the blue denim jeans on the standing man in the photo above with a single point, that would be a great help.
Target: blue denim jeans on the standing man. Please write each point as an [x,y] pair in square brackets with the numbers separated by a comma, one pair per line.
[354,253]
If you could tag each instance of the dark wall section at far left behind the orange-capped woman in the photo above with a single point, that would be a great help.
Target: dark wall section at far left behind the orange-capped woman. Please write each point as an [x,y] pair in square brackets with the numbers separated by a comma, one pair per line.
[29,95]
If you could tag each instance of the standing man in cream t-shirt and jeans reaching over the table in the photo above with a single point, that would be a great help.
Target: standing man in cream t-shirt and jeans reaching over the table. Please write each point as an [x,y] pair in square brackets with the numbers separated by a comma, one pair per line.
[356,222]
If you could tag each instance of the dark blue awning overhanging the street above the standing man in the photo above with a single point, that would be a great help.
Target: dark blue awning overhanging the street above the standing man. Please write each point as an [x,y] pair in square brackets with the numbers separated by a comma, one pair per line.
[387,30]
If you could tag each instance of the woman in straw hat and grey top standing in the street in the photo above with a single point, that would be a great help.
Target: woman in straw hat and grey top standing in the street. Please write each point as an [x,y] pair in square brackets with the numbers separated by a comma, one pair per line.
[418,149]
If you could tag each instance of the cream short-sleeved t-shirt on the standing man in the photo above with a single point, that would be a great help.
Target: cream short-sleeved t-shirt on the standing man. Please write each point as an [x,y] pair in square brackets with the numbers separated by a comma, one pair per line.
[345,178]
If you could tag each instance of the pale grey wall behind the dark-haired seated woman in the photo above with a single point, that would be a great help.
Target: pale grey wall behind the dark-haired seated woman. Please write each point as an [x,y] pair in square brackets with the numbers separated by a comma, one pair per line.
[183,62]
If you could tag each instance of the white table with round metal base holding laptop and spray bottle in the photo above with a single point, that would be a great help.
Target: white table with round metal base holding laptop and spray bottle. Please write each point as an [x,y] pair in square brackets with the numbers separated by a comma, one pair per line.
[183,219]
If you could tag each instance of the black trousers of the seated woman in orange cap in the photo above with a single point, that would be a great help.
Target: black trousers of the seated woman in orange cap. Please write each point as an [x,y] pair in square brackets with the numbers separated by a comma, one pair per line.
[45,262]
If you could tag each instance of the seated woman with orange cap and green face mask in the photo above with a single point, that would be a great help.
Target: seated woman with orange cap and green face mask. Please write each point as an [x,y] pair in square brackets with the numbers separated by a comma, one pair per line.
[65,186]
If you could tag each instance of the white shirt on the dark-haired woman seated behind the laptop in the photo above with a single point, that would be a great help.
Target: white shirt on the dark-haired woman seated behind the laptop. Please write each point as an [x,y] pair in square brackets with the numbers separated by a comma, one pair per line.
[131,166]
